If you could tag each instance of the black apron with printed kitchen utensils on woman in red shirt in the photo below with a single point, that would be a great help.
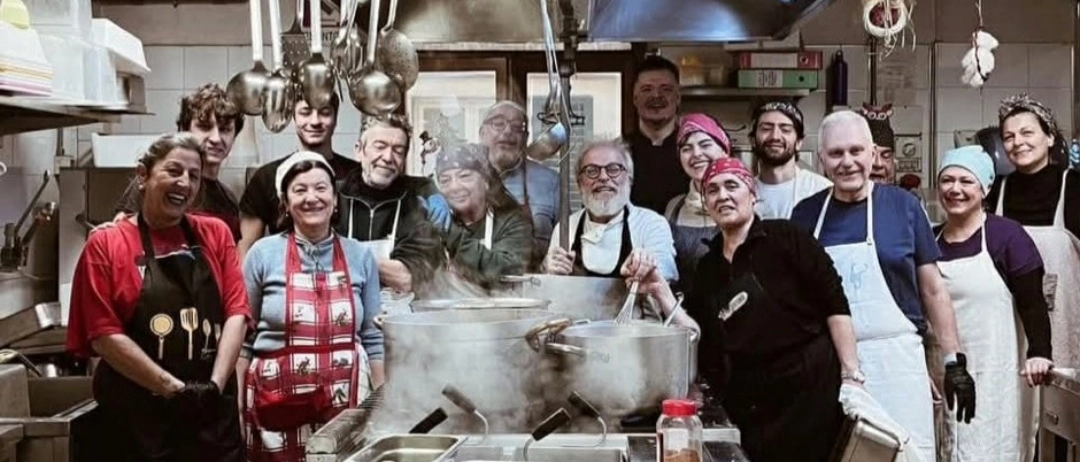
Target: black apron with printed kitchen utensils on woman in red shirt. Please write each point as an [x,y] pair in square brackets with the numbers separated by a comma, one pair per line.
[150,428]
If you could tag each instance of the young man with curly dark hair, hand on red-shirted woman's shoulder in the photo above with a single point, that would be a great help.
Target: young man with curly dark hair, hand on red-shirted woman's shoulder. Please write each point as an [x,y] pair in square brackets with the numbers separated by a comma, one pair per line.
[215,120]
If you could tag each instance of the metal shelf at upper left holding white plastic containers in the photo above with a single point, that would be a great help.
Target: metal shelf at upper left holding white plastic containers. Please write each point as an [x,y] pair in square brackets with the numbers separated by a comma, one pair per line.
[28,114]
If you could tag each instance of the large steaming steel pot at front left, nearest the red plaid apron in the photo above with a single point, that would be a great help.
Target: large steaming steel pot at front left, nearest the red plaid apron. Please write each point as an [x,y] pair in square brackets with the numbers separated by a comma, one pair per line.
[483,354]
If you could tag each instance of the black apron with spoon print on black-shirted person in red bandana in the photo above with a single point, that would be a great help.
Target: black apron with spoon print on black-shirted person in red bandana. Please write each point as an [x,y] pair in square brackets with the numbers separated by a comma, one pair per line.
[786,402]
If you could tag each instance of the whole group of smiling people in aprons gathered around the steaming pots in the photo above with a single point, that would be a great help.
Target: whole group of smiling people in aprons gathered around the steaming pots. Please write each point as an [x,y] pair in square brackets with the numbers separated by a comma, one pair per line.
[211,314]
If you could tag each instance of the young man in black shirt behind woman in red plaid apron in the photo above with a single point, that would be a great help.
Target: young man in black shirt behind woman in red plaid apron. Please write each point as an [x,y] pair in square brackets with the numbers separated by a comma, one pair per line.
[260,207]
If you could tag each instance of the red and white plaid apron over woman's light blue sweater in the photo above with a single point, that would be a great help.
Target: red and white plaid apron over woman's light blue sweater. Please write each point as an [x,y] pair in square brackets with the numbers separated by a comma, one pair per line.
[320,350]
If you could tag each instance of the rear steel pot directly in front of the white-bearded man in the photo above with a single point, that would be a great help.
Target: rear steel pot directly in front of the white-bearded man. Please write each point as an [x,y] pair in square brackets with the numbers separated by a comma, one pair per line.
[575,297]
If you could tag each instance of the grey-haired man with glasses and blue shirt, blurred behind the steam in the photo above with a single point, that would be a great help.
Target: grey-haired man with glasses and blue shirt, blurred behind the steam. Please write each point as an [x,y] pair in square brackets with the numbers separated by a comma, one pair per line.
[505,132]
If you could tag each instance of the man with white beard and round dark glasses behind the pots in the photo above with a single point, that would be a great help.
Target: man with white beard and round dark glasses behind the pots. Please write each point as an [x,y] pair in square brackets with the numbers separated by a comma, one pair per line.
[611,233]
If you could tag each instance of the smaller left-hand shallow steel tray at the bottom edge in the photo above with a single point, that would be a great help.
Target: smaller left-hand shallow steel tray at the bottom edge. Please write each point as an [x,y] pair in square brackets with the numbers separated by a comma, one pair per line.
[410,449]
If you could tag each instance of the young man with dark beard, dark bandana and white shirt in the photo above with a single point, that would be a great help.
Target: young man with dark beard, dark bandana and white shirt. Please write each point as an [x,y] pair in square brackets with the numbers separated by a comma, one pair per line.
[777,134]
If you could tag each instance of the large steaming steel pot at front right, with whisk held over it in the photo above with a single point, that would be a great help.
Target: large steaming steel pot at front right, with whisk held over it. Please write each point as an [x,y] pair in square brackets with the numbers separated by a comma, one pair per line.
[624,370]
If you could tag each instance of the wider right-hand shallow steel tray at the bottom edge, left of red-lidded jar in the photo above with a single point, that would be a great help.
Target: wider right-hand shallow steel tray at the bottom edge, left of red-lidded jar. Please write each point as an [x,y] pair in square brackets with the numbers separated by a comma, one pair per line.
[555,449]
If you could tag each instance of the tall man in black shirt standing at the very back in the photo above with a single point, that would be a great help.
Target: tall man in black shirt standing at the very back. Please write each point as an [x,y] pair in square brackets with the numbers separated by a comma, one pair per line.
[654,145]
